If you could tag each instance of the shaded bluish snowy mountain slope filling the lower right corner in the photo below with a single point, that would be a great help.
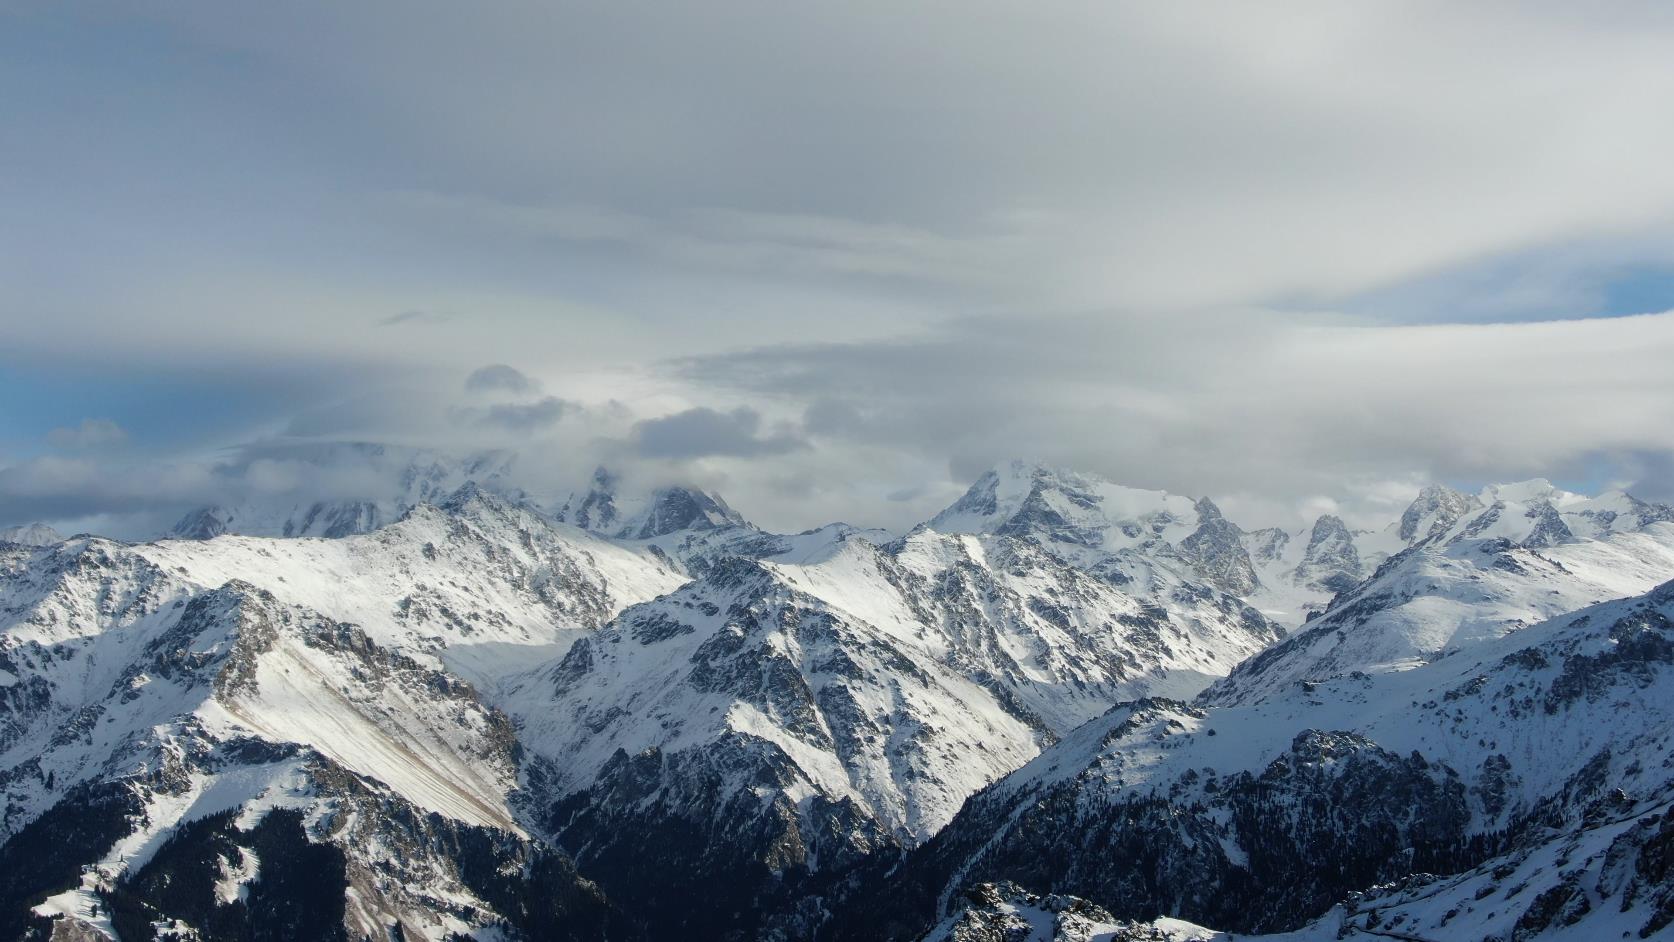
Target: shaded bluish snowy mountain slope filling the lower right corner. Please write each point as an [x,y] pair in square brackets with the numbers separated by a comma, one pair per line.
[1534,767]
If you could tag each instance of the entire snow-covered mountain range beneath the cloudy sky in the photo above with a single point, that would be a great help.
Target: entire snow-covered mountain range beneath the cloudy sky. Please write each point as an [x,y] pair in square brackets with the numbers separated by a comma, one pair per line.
[1062,709]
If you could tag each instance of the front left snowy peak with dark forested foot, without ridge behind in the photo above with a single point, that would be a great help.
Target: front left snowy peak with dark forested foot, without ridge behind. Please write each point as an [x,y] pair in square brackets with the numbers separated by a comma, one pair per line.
[257,767]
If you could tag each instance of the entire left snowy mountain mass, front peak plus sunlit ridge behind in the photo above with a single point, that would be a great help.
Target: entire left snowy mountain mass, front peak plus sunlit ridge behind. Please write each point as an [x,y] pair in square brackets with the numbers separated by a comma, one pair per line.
[344,680]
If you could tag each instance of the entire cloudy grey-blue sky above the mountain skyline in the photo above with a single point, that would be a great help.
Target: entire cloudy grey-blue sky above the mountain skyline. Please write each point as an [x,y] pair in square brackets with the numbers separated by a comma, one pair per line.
[834,260]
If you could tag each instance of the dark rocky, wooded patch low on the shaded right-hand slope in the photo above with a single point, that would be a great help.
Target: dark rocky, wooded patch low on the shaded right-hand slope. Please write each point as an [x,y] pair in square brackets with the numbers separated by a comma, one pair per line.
[1194,849]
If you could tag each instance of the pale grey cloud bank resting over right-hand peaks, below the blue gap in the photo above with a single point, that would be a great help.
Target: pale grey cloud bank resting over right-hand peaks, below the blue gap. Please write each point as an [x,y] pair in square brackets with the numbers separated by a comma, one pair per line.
[1248,404]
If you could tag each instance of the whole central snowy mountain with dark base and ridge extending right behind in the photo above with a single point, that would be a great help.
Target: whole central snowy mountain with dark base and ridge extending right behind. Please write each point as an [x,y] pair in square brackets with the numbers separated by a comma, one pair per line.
[776,722]
